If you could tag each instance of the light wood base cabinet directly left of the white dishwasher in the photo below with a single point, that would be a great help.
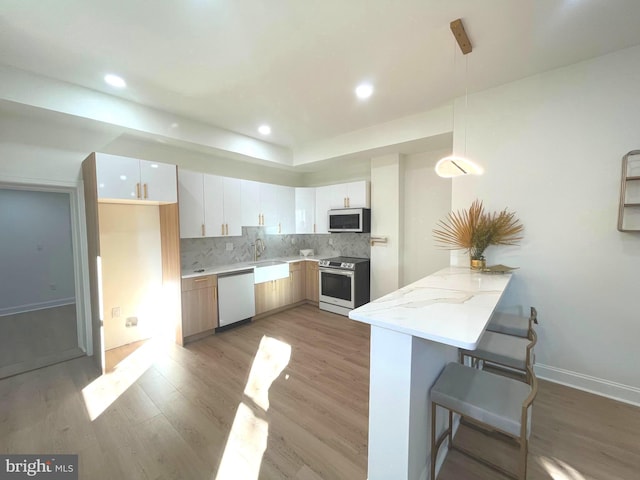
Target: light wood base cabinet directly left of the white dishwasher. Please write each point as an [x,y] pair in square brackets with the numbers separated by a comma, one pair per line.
[199,305]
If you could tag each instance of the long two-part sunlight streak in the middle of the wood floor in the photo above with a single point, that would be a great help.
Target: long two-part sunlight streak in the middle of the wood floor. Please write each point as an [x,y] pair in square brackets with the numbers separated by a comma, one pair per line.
[247,440]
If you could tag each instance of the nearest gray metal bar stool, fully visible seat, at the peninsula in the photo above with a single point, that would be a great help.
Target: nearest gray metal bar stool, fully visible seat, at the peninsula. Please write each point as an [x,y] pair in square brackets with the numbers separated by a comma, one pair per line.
[496,402]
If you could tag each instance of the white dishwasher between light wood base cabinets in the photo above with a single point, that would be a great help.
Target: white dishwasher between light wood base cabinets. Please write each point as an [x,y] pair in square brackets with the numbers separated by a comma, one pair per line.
[236,297]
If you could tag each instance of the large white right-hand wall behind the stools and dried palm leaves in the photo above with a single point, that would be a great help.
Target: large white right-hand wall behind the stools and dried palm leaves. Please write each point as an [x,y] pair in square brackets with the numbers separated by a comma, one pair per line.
[551,146]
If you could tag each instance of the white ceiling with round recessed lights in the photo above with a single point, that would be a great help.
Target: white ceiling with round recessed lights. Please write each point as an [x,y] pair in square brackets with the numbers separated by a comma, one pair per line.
[294,64]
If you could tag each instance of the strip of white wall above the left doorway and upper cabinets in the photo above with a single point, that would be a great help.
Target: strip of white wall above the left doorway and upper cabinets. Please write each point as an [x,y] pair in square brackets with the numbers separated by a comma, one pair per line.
[48,148]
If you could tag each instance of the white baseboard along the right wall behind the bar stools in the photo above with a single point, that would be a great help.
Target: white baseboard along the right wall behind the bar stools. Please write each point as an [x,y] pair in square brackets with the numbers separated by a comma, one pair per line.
[599,386]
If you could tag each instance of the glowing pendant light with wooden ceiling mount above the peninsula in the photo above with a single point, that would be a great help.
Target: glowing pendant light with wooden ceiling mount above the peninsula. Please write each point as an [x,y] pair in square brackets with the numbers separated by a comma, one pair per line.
[453,165]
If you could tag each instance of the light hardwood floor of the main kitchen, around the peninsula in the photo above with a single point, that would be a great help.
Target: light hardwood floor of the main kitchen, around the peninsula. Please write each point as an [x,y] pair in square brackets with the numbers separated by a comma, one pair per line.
[175,420]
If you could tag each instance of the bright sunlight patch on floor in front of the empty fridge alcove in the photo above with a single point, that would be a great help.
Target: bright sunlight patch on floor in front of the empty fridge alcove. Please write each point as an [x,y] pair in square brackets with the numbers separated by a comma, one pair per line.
[106,389]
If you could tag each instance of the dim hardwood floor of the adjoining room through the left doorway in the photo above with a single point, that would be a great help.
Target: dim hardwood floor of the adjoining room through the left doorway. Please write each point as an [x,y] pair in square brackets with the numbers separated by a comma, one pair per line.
[35,339]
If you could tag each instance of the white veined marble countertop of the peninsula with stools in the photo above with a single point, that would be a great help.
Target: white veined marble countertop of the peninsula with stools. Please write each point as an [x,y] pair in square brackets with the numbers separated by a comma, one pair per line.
[451,306]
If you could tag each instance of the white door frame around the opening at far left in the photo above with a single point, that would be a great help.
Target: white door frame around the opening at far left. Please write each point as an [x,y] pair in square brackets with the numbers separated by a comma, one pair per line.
[75,190]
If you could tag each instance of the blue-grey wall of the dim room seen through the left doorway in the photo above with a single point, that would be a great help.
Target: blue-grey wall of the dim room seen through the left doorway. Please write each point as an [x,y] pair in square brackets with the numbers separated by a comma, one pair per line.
[36,256]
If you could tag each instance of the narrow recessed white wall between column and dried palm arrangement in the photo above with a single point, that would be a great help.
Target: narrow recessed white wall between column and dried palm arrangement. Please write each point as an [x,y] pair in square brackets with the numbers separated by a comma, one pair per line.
[427,199]
